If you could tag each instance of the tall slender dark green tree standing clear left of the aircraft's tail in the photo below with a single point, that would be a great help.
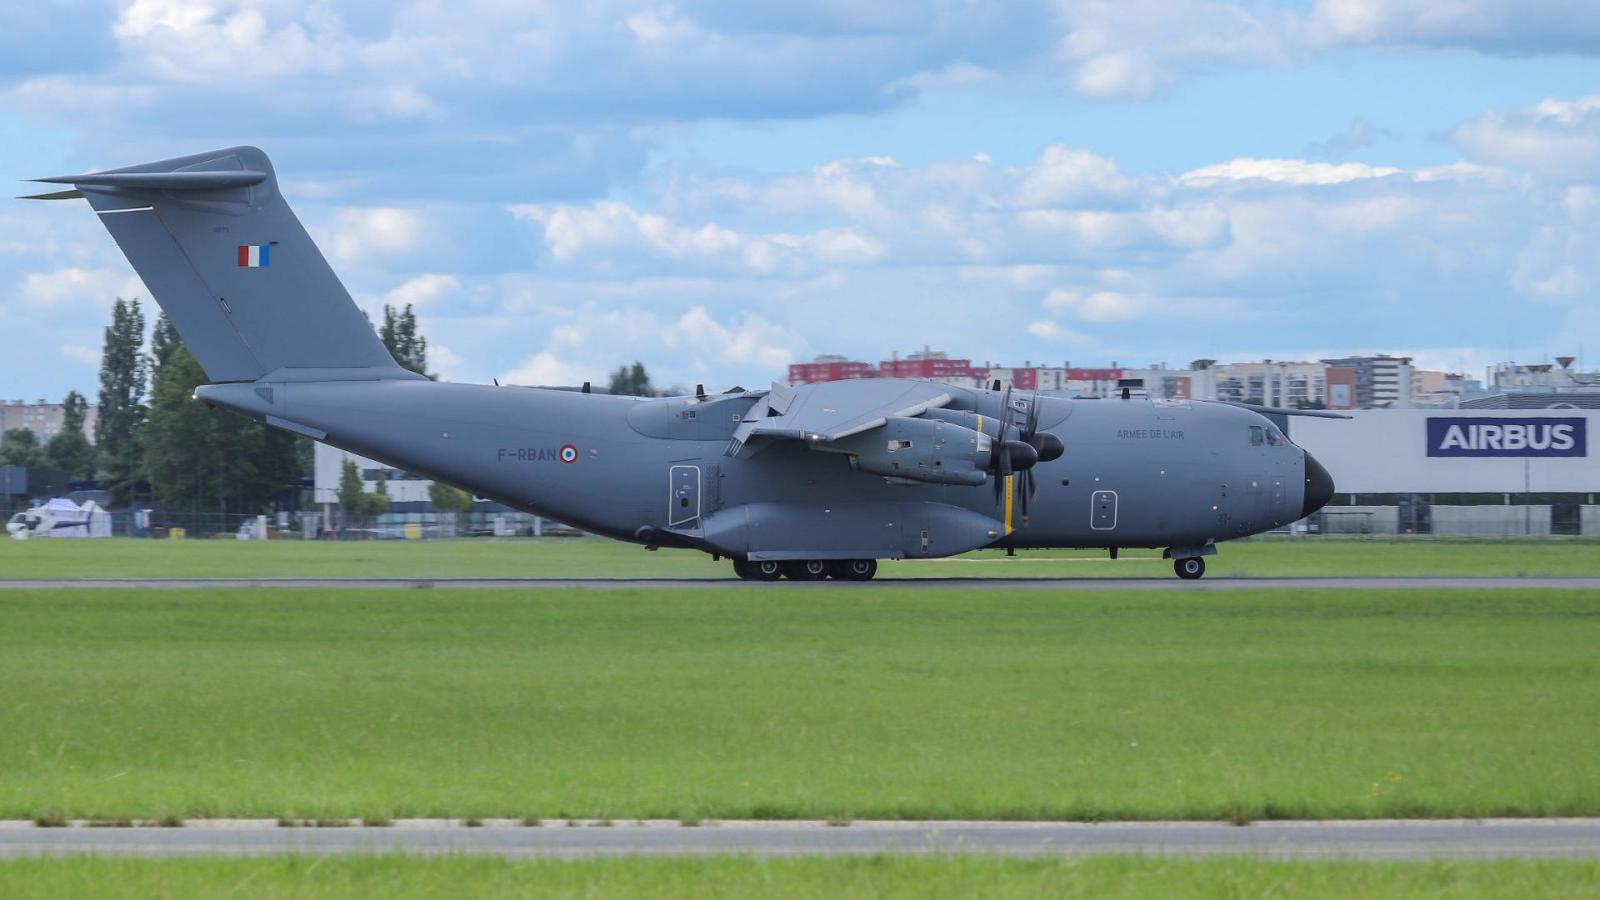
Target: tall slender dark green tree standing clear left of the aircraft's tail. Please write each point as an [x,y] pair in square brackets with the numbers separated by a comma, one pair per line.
[122,411]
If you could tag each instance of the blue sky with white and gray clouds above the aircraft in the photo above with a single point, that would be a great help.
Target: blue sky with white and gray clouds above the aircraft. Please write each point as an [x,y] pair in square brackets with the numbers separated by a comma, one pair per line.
[724,188]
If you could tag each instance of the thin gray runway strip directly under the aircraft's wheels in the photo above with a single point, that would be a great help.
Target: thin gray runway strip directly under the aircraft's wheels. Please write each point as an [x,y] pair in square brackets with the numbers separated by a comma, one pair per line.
[724,584]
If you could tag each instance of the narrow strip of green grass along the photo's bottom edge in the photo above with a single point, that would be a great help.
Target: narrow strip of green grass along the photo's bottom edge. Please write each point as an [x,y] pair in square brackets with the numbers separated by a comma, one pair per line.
[735,877]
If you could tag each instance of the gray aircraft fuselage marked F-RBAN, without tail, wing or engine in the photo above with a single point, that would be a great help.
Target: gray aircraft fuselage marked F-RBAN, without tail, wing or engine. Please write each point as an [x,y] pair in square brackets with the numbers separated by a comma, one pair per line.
[1135,473]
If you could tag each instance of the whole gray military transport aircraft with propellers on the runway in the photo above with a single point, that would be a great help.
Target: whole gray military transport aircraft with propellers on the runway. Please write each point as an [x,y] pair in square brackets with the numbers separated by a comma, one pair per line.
[806,481]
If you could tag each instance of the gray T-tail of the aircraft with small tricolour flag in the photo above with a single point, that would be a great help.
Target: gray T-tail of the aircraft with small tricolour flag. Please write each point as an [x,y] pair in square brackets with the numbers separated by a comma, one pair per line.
[234,270]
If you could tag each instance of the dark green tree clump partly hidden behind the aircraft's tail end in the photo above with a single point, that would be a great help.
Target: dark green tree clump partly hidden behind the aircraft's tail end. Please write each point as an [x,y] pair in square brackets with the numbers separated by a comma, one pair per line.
[202,459]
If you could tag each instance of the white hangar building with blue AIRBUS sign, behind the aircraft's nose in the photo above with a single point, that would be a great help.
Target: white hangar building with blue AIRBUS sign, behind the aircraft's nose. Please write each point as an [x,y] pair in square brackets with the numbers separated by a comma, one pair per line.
[1458,472]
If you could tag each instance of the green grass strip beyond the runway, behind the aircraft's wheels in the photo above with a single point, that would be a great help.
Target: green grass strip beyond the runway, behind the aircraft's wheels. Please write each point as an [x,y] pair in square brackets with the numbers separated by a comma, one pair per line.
[564,558]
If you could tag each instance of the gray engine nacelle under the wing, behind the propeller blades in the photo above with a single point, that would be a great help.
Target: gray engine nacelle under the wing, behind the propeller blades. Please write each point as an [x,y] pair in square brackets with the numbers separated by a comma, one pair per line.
[919,449]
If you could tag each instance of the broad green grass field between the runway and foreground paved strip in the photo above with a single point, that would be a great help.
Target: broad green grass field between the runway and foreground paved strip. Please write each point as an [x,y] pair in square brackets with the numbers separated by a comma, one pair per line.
[844,704]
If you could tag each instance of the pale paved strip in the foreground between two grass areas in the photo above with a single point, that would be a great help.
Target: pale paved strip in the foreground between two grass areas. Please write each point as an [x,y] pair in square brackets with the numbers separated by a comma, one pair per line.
[556,838]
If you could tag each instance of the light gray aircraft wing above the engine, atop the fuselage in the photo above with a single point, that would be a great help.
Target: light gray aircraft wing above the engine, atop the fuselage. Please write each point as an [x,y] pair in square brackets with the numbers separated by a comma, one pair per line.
[833,411]
